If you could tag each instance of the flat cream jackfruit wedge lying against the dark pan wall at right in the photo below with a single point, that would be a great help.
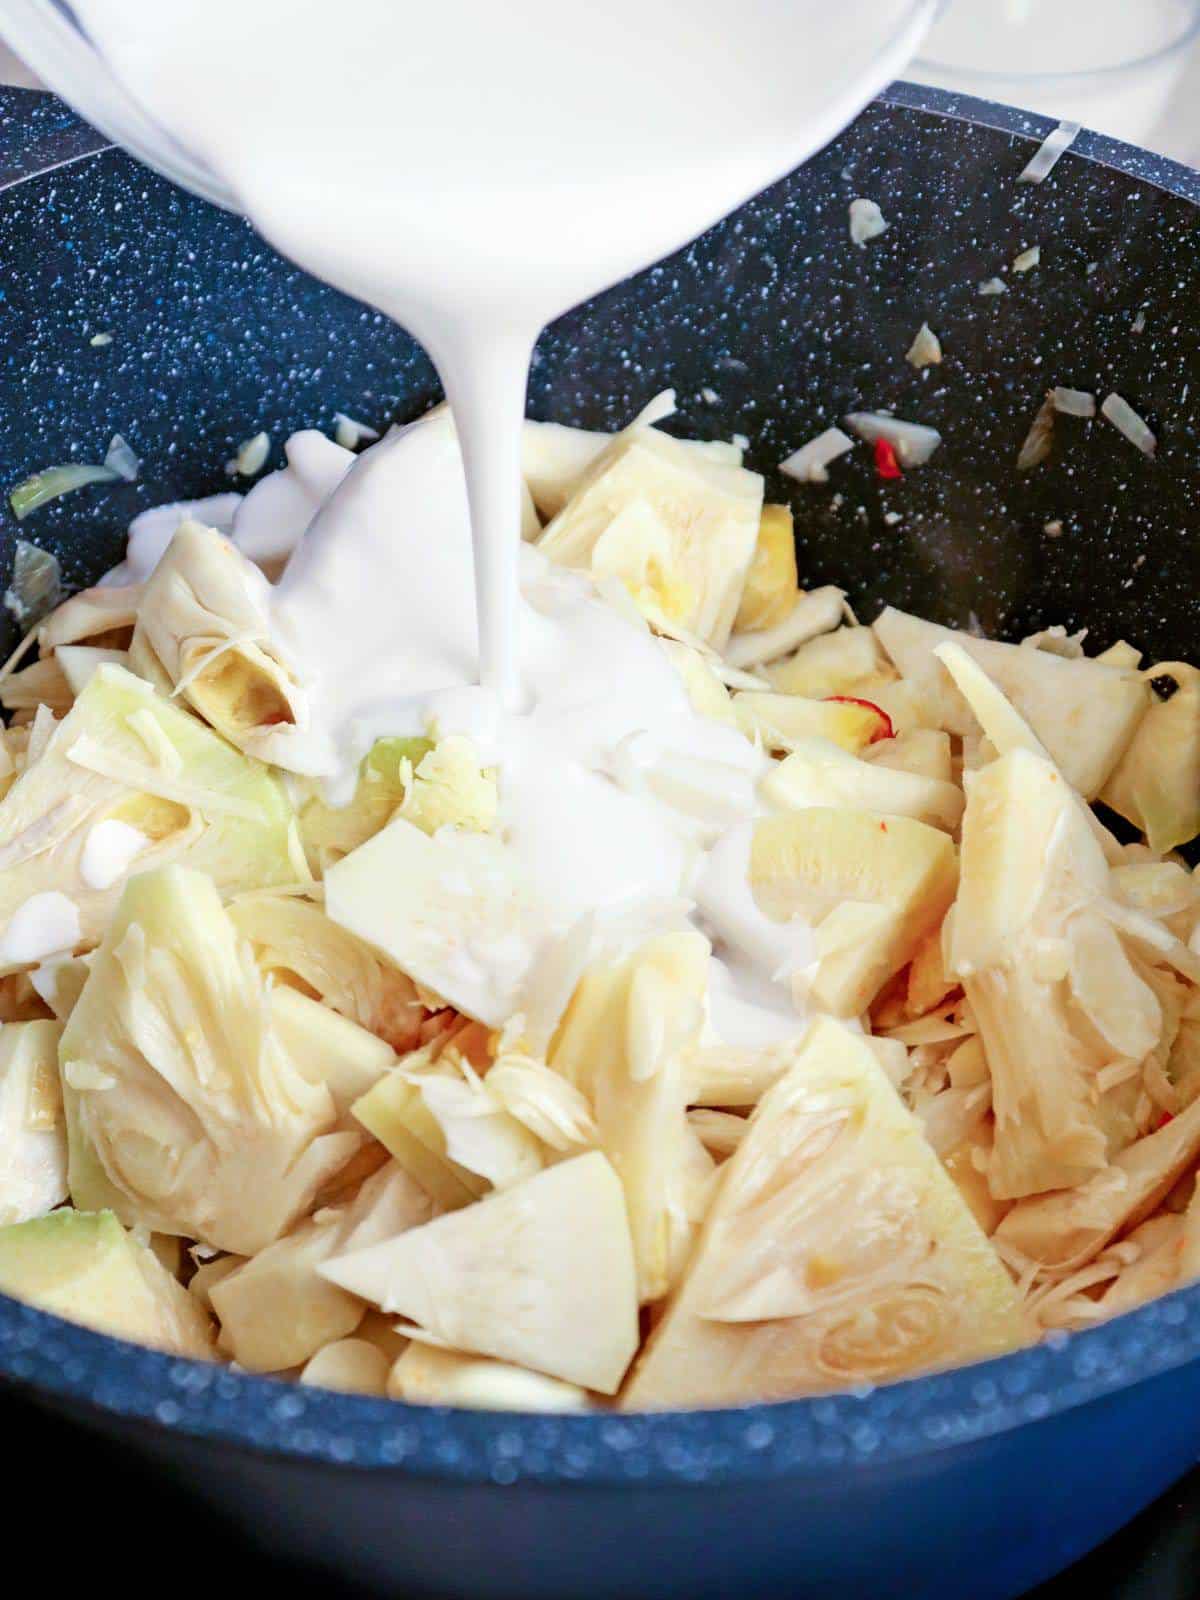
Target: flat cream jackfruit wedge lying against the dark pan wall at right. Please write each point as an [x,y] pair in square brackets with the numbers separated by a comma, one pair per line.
[1082,711]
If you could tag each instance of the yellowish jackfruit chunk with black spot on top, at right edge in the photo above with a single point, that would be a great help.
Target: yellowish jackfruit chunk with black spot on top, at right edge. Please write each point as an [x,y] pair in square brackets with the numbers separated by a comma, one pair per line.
[1158,782]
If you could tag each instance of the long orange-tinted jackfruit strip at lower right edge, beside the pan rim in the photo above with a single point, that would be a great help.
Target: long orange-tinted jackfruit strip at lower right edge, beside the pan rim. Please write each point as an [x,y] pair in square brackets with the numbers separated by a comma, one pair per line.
[1065,1231]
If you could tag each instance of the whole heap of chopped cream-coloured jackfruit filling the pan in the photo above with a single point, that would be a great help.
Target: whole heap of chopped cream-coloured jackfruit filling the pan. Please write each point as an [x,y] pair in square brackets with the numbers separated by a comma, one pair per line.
[902,1068]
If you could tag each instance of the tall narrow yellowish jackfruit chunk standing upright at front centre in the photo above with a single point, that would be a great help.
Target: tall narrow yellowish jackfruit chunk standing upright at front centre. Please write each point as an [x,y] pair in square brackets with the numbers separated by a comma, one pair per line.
[625,1044]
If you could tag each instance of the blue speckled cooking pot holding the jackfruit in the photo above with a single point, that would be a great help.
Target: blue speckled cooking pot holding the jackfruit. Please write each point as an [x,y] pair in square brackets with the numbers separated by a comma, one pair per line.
[978,1482]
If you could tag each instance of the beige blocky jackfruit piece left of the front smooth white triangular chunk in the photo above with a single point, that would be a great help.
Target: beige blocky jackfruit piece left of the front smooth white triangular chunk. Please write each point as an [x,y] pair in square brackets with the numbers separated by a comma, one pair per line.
[278,1311]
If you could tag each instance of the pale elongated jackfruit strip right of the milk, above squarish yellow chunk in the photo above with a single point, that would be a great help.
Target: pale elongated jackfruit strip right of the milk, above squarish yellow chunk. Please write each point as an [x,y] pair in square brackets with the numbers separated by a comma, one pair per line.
[823,774]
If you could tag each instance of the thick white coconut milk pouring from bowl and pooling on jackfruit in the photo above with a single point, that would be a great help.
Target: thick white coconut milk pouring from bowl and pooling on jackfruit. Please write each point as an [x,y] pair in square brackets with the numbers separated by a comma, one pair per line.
[476,170]
